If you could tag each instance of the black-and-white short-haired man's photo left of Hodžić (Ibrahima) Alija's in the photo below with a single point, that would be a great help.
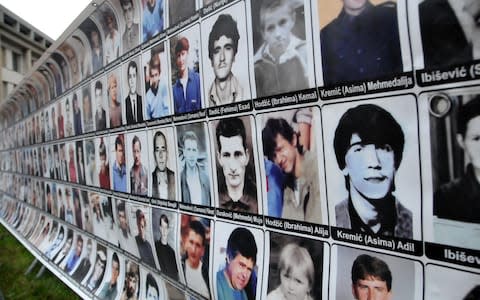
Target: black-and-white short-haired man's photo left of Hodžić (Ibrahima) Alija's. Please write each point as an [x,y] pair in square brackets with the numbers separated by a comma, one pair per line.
[237,189]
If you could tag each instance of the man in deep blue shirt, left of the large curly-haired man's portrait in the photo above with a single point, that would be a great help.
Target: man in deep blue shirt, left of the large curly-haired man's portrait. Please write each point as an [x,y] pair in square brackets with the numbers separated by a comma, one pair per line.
[187,95]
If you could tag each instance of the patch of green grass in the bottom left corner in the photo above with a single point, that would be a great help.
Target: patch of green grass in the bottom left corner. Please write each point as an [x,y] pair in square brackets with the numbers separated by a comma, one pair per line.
[14,261]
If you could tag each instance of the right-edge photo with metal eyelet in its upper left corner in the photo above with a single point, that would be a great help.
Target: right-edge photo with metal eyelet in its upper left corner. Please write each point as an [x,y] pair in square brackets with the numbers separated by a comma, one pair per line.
[454,126]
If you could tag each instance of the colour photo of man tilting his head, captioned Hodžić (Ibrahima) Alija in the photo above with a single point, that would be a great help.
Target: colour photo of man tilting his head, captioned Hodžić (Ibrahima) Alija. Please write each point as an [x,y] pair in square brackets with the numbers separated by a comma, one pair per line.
[294,189]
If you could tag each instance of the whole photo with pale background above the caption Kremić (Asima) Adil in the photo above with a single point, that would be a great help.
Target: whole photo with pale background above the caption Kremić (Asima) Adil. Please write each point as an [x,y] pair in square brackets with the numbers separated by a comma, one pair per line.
[372,166]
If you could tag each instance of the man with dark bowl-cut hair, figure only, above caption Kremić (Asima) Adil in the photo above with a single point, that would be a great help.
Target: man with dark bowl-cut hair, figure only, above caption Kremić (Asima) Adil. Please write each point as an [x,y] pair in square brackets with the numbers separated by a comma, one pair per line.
[369,147]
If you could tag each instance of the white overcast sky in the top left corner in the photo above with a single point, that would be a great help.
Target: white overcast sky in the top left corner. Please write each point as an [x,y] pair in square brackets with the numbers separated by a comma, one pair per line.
[51,17]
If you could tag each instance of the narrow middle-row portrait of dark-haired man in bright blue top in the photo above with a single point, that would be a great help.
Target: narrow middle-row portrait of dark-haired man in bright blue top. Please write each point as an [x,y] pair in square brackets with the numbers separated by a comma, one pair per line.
[119,169]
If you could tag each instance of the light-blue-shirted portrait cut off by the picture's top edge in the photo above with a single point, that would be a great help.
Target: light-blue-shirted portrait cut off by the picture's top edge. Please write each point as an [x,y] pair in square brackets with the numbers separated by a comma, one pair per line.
[153,18]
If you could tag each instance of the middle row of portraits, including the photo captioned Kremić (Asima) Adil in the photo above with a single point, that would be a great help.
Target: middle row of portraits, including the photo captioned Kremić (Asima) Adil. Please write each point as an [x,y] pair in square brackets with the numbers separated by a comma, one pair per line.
[290,164]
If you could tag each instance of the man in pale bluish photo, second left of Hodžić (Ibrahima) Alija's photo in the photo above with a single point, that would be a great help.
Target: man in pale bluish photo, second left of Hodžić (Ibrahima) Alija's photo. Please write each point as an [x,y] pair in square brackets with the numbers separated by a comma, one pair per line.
[194,177]
